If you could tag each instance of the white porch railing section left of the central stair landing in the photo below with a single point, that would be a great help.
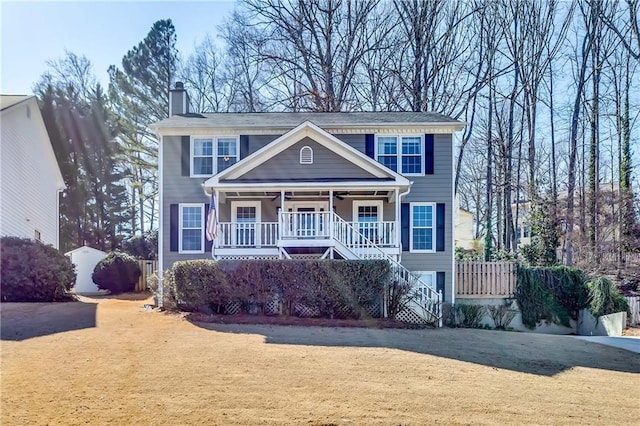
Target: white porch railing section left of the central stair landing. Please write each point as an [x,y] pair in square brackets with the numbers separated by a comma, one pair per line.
[247,234]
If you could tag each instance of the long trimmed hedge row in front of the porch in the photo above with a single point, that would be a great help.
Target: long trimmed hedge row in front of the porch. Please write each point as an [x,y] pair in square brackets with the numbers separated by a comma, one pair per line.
[331,287]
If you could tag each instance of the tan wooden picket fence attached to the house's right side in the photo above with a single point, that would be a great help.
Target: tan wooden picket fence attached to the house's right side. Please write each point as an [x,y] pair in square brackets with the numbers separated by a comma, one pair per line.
[485,279]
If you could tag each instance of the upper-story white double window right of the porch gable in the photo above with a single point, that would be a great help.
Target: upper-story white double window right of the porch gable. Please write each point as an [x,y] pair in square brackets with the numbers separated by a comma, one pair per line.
[402,154]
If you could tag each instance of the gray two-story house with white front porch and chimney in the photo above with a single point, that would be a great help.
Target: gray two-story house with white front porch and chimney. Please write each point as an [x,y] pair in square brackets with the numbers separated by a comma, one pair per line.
[352,185]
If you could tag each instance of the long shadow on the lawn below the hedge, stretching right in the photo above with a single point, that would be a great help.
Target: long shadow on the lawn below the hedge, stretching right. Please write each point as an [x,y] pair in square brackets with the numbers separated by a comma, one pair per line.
[539,354]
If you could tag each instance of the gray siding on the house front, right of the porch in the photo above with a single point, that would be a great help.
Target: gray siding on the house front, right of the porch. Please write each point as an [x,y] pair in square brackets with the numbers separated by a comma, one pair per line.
[436,188]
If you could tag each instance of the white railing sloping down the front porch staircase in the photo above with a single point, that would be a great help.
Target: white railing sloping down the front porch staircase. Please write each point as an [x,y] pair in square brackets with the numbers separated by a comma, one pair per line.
[423,298]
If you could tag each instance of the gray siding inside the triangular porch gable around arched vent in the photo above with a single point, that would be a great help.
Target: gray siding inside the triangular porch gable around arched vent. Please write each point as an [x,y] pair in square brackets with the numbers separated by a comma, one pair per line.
[326,163]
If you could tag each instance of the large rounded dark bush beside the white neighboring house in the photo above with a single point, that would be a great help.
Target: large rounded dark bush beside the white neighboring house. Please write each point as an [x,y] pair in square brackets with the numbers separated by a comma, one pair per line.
[34,272]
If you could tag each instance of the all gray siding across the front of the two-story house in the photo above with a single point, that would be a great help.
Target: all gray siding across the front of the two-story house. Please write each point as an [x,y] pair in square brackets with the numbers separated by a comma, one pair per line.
[436,188]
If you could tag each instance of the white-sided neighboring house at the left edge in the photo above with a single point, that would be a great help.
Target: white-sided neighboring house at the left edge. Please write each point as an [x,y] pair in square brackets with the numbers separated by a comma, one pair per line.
[30,179]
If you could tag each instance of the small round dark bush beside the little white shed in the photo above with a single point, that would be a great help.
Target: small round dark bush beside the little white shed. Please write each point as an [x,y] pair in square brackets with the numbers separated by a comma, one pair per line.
[117,272]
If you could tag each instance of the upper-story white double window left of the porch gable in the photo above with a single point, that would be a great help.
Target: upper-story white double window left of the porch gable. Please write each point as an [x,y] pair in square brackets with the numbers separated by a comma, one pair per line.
[211,155]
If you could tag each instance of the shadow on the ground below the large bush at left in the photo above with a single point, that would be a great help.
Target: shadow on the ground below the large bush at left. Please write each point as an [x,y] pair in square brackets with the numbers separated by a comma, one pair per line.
[21,321]
